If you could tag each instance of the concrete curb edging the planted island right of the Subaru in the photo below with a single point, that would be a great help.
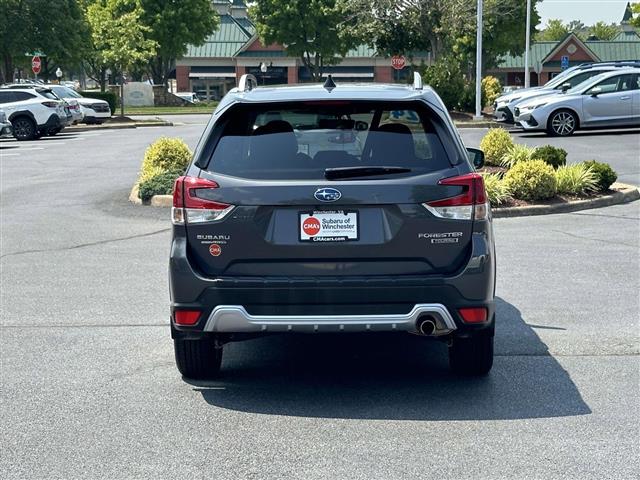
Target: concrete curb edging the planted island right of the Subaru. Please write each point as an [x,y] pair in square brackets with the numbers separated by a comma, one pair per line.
[624,194]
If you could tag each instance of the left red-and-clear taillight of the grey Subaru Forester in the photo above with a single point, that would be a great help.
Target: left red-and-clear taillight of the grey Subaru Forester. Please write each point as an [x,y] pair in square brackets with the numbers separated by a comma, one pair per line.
[188,207]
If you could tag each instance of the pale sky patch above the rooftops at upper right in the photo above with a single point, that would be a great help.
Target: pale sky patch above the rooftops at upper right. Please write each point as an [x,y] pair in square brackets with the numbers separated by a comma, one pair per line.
[587,11]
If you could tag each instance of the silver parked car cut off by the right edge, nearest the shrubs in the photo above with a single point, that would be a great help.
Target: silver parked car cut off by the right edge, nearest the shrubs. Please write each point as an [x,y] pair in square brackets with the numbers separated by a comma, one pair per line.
[608,100]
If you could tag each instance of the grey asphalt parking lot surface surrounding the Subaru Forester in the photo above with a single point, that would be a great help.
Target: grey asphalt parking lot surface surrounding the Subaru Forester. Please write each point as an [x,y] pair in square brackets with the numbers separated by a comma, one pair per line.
[90,390]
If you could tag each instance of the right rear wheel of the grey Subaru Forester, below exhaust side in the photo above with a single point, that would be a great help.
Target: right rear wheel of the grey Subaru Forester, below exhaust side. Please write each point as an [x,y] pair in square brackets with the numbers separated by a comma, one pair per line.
[472,356]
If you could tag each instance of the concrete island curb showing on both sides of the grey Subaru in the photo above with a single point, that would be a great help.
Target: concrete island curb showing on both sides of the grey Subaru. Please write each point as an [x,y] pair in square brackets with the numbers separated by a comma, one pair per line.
[624,194]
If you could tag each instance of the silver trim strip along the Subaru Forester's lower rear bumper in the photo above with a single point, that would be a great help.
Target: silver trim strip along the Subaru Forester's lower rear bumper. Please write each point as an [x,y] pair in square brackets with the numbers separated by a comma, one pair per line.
[235,319]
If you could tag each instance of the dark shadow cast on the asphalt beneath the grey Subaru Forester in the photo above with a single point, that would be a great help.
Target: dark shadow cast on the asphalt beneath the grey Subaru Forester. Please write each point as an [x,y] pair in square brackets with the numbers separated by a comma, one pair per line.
[393,376]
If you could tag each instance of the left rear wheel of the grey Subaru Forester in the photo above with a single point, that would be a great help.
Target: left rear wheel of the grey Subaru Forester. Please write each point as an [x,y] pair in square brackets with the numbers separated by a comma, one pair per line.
[198,359]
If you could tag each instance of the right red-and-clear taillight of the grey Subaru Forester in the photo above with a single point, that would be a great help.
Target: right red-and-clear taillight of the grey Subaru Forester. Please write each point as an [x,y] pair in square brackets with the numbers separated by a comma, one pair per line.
[470,204]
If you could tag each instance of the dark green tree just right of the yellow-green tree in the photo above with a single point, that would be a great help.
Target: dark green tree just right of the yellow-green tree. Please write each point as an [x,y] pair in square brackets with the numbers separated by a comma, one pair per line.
[174,25]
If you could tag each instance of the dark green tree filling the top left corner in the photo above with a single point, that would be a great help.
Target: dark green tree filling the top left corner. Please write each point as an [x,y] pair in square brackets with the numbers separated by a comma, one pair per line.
[57,29]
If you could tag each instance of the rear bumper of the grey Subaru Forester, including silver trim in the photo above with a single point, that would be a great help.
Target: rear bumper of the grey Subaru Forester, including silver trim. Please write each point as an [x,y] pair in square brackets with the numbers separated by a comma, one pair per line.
[313,304]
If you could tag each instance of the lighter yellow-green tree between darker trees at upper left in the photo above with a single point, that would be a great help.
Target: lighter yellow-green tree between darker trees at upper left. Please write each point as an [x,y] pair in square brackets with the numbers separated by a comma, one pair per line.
[118,38]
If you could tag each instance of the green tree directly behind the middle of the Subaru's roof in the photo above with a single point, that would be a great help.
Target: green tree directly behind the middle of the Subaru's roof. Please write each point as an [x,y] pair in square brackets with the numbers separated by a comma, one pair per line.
[308,29]
